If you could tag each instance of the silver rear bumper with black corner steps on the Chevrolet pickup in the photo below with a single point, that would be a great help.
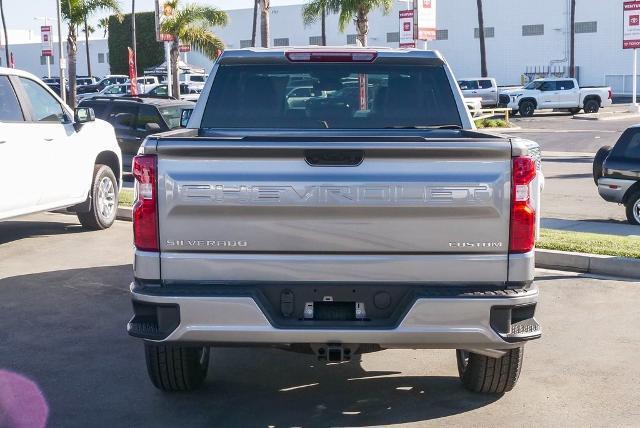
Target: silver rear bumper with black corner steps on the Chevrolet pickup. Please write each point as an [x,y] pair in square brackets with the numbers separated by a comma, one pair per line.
[489,320]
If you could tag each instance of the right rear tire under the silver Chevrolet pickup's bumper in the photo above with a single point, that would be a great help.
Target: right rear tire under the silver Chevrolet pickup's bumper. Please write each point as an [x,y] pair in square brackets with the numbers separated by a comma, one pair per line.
[489,375]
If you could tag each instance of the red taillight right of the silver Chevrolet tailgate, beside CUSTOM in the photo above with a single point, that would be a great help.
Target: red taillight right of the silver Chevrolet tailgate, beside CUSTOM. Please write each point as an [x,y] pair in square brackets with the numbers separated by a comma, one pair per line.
[523,216]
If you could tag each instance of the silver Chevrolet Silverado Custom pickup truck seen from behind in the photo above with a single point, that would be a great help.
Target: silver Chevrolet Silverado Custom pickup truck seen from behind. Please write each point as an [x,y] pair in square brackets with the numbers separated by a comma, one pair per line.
[362,220]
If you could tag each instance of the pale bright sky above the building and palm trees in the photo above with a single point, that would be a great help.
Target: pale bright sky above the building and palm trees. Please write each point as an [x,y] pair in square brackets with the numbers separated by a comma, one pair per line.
[19,19]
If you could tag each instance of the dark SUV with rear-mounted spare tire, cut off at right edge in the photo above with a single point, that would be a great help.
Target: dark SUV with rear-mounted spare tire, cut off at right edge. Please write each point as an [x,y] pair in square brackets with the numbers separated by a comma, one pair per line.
[616,171]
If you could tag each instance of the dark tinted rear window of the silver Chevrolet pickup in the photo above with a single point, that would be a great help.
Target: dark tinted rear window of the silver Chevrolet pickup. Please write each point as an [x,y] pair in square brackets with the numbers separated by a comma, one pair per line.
[348,96]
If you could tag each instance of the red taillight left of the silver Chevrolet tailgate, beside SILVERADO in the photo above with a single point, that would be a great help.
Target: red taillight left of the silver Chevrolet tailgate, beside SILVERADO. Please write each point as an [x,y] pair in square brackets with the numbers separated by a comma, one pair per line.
[145,213]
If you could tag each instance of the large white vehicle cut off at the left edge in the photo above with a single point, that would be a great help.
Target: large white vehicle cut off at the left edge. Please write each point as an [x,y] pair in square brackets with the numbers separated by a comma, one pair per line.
[52,157]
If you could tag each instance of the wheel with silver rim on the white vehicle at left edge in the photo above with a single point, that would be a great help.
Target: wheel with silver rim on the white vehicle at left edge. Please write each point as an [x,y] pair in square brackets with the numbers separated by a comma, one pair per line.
[100,216]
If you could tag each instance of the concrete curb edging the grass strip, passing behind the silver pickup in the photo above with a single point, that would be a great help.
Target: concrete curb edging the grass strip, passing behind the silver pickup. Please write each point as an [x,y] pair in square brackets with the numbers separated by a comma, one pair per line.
[552,259]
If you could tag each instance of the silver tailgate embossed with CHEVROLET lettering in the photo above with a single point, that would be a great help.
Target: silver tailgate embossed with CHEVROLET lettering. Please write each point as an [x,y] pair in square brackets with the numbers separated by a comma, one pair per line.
[339,209]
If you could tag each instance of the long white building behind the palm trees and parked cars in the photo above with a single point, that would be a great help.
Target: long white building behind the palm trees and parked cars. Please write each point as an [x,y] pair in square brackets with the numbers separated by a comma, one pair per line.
[522,37]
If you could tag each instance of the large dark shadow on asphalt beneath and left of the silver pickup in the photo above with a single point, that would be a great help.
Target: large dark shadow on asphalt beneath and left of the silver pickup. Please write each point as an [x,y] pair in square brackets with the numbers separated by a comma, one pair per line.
[68,335]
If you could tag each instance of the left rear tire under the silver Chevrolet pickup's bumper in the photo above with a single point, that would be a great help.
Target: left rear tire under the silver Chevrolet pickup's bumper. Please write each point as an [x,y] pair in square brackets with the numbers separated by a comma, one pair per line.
[176,368]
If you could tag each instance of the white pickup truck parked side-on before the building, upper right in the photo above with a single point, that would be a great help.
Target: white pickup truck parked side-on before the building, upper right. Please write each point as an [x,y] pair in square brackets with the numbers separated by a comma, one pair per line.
[556,93]
